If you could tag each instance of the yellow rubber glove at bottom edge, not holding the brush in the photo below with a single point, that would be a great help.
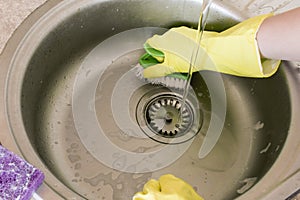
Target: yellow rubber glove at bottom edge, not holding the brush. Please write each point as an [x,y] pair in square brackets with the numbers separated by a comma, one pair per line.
[168,187]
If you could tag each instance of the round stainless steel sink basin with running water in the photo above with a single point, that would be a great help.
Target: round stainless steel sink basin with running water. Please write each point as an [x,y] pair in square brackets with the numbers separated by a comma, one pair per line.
[75,109]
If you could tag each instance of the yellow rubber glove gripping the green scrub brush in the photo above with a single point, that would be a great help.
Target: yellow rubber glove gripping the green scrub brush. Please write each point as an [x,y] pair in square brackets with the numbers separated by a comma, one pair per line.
[233,51]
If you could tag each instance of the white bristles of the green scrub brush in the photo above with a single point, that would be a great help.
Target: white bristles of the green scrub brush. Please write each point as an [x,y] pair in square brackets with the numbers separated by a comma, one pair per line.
[167,81]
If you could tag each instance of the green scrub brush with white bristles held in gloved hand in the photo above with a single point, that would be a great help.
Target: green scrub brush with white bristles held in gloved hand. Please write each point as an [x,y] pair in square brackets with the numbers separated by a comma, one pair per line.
[151,57]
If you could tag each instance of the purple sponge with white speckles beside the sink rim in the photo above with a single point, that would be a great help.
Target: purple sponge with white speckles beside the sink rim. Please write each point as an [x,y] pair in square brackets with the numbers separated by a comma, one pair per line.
[18,179]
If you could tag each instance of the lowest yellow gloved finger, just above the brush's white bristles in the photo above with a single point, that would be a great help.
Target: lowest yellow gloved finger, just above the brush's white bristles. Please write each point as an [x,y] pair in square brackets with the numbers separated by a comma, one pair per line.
[159,70]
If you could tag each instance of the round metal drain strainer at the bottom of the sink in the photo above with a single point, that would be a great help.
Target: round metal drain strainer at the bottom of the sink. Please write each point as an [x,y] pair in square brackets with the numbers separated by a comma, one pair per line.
[162,117]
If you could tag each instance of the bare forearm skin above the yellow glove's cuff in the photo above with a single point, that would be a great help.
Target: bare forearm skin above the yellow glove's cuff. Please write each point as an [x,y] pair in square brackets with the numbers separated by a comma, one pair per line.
[279,36]
